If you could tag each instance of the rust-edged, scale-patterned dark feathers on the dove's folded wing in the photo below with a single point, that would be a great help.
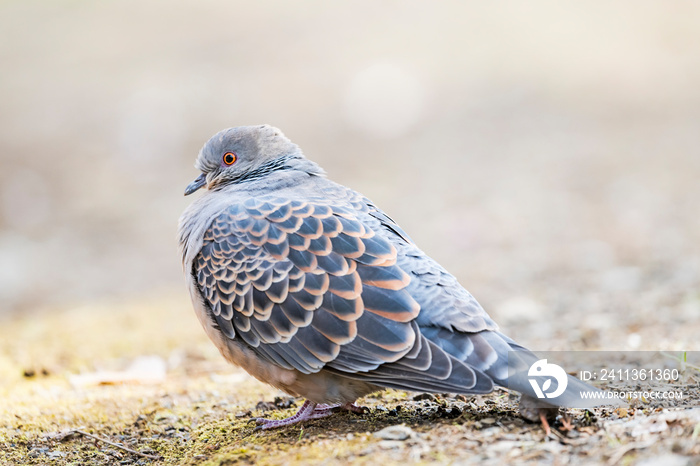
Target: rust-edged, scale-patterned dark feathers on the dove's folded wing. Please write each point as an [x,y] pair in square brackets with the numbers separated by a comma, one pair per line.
[282,275]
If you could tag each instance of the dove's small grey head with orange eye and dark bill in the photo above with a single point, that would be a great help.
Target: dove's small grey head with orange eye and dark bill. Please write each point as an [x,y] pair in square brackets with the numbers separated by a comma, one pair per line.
[240,154]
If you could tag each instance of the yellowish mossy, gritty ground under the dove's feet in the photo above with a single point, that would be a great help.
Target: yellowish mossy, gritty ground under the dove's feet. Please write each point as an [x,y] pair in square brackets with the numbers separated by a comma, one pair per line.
[201,412]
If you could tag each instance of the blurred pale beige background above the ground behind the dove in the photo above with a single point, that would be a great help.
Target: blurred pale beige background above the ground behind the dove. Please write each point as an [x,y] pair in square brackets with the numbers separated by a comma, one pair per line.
[546,153]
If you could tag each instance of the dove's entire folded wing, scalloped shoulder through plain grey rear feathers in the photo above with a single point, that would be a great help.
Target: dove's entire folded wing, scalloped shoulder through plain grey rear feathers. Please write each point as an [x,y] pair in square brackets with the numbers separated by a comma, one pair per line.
[312,285]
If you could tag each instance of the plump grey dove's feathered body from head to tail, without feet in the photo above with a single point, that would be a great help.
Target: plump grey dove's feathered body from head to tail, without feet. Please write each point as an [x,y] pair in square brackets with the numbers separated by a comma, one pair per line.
[310,287]
